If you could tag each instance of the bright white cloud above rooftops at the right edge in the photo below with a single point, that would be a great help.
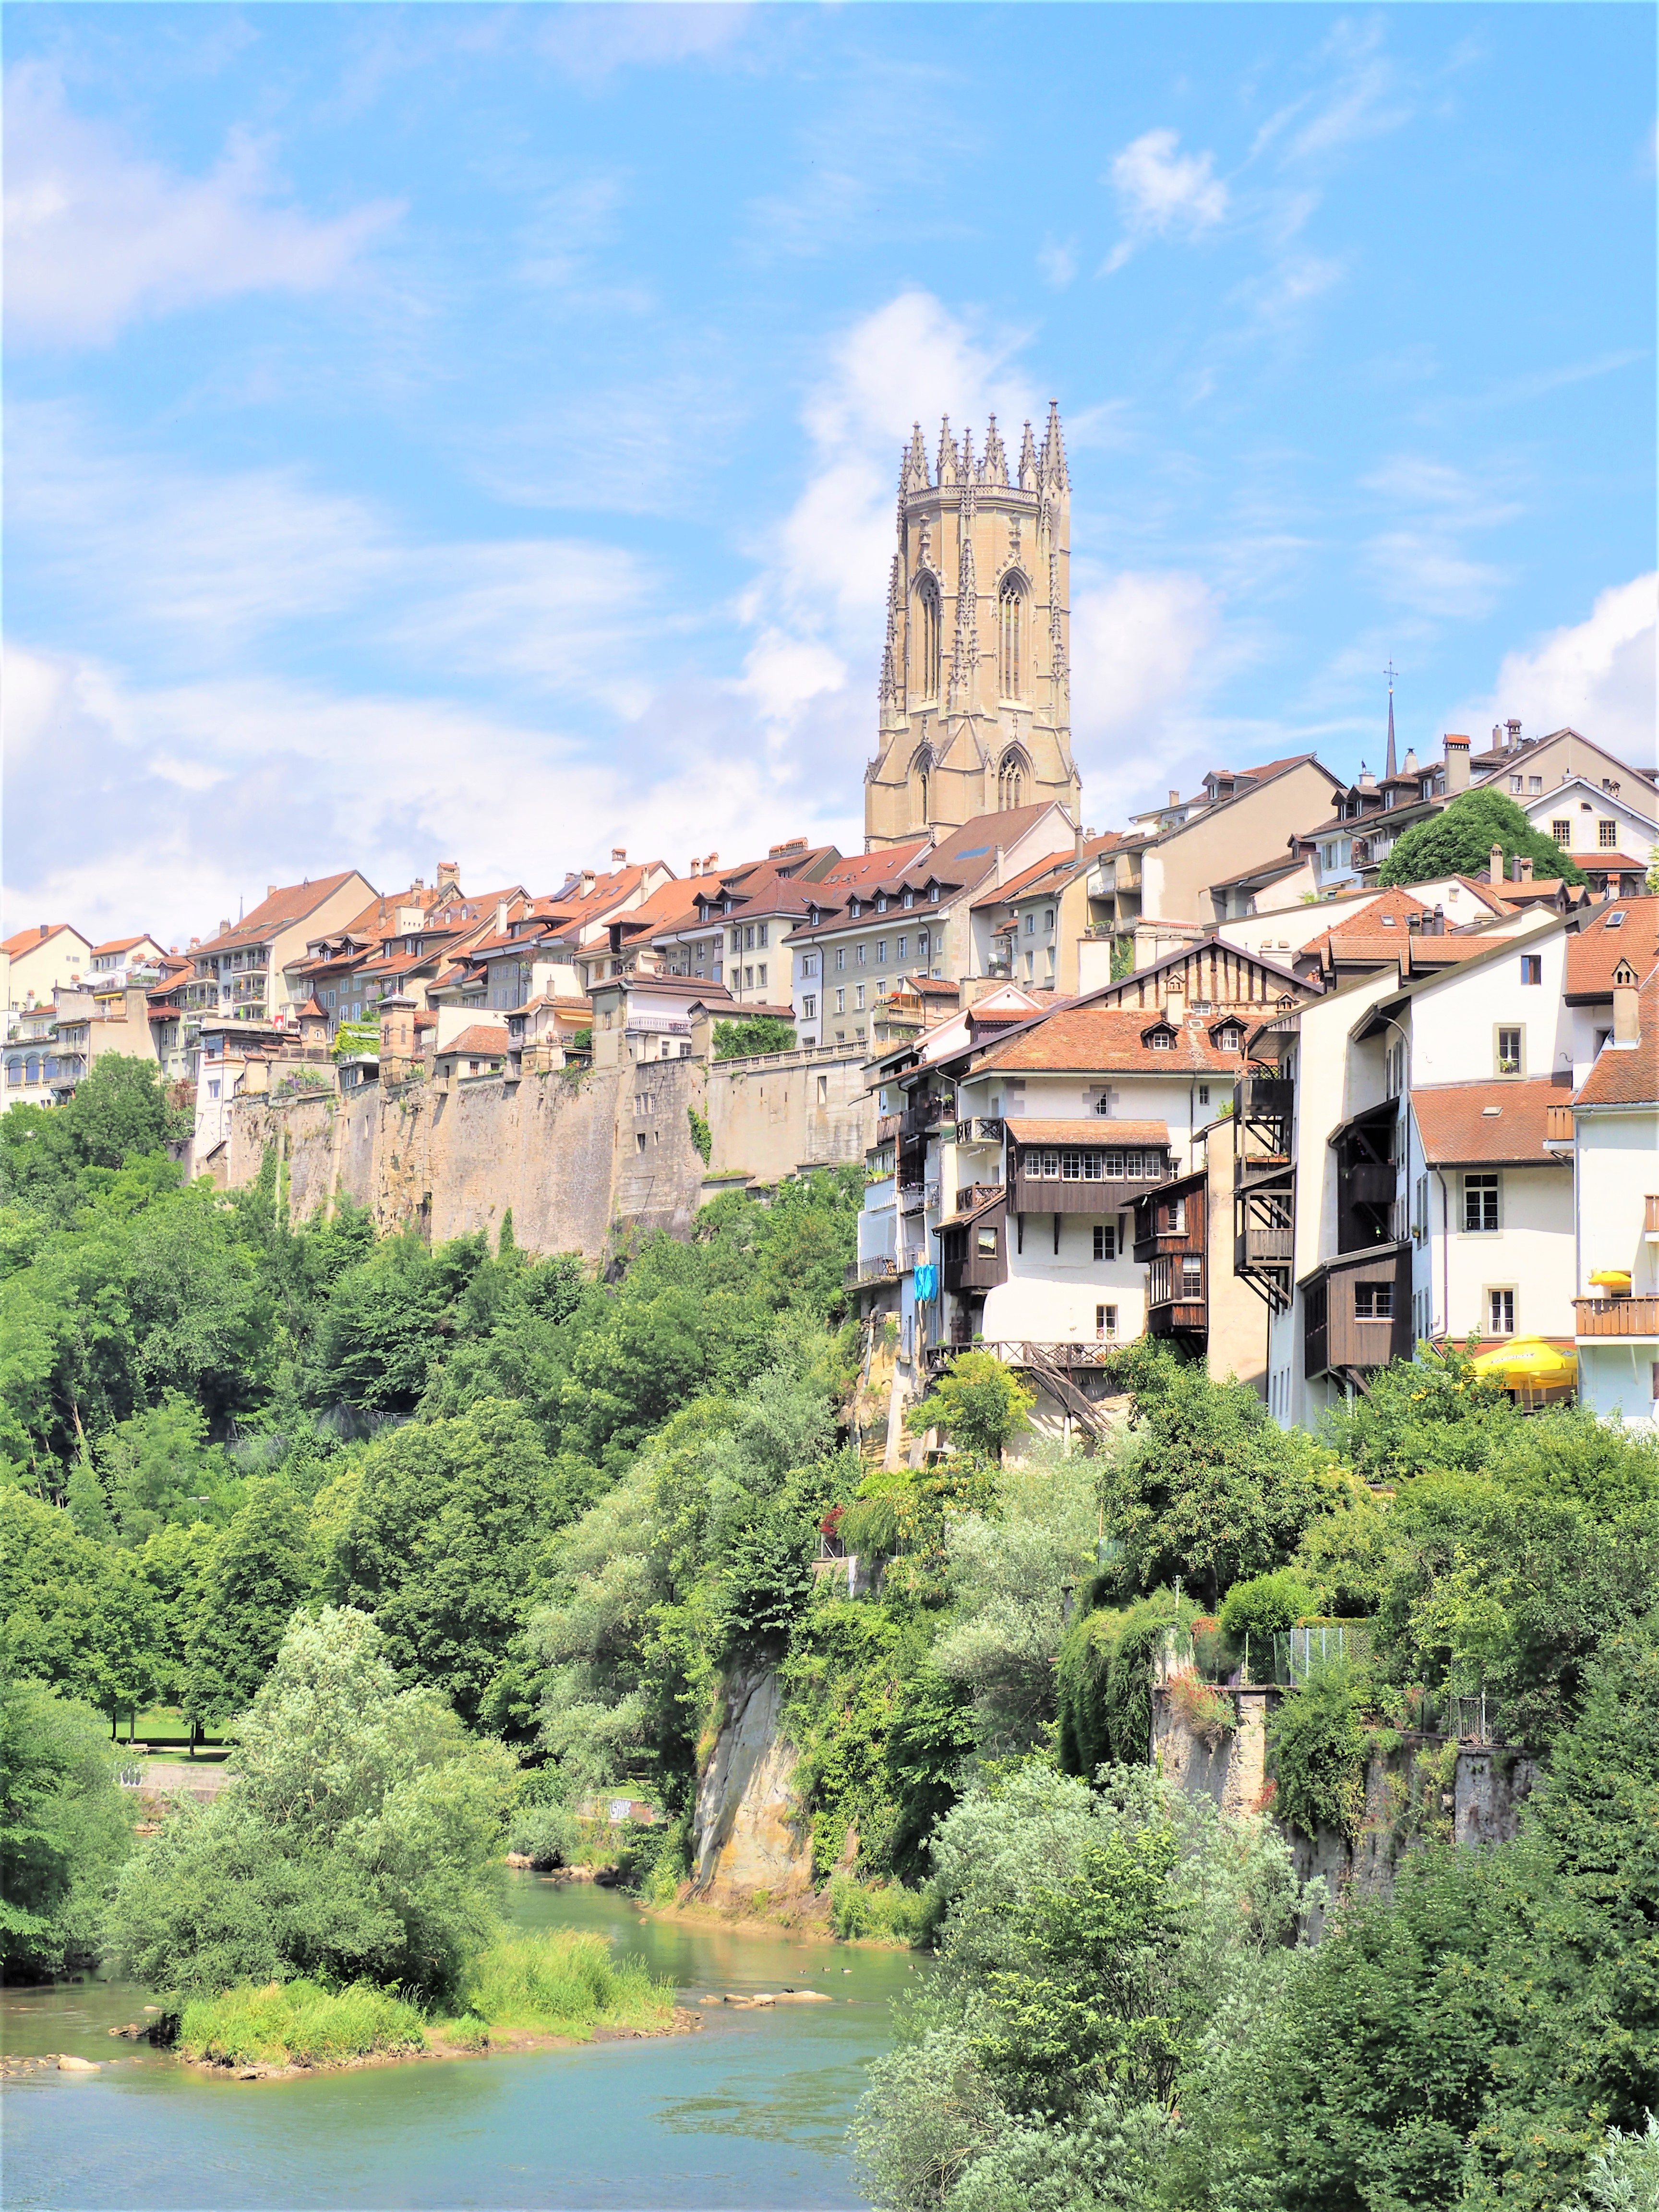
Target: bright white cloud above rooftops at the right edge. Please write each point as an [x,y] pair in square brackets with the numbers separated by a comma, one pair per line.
[1596,676]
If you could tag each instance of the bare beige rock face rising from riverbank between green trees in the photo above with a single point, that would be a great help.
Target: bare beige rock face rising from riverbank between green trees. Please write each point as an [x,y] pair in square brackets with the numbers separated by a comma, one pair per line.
[749,1833]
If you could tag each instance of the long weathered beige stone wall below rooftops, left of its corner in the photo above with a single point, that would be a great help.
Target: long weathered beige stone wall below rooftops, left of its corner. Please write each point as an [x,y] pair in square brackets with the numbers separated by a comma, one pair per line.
[578,1162]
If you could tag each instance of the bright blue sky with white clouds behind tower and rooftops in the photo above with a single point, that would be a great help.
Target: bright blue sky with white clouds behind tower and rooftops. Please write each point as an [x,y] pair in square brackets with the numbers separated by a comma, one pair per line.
[472,432]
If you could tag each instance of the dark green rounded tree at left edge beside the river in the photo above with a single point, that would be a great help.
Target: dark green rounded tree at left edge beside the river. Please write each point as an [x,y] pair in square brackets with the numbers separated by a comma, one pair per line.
[63,1830]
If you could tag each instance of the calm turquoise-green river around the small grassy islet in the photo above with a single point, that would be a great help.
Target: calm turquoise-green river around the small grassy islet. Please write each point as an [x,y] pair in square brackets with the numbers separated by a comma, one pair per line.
[749,2114]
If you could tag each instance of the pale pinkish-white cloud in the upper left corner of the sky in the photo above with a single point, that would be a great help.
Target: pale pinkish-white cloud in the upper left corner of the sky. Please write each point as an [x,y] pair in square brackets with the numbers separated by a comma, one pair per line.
[98,236]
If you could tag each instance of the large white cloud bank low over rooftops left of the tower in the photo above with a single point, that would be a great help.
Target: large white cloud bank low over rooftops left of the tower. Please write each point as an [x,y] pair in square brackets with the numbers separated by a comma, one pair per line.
[313,780]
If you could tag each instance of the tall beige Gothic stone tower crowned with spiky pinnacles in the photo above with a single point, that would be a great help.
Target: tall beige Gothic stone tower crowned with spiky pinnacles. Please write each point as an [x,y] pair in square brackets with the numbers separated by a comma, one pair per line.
[974,676]
